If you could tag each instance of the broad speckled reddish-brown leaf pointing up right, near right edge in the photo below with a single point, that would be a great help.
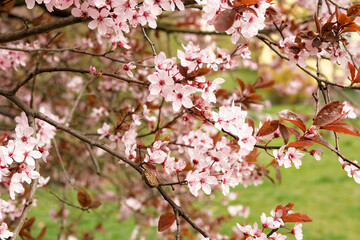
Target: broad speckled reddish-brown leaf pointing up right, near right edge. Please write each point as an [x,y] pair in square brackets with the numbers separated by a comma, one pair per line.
[328,114]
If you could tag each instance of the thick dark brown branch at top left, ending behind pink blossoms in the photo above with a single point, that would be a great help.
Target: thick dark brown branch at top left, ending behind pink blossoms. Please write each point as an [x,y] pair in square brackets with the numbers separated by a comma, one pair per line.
[9,37]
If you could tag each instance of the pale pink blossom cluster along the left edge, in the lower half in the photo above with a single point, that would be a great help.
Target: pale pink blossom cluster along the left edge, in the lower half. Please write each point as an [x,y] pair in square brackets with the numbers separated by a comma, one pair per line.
[17,162]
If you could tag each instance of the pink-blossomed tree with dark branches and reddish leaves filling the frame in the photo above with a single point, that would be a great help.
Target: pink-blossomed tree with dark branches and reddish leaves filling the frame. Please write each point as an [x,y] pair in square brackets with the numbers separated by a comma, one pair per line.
[94,89]
